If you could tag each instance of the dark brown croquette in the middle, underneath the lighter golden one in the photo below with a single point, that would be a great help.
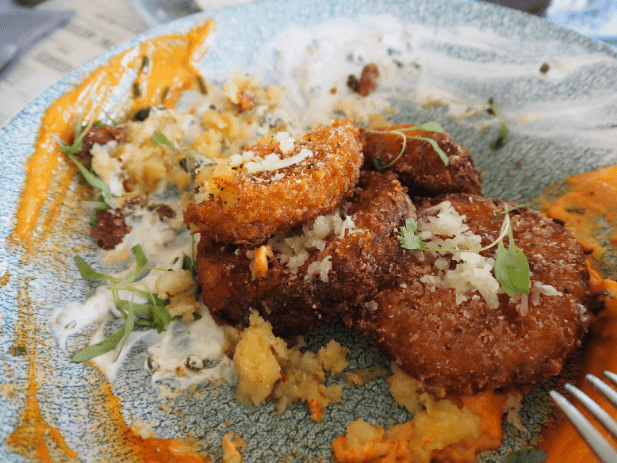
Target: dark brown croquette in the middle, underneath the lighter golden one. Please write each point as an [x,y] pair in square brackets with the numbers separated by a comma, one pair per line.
[345,266]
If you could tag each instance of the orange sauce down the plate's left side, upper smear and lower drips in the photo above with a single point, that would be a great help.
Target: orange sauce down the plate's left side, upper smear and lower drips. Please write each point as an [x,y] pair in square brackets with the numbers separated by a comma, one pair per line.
[171,65]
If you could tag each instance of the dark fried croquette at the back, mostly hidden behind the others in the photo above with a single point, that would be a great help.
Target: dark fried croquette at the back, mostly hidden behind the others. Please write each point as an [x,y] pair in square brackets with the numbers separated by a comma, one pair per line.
[420,168]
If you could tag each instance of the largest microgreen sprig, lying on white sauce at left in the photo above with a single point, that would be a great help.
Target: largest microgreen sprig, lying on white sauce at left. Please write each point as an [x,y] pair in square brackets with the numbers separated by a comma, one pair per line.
[152,313]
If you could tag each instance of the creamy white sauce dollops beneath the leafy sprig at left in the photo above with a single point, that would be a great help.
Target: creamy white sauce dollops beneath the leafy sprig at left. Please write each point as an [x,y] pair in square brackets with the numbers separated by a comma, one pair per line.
[167,351]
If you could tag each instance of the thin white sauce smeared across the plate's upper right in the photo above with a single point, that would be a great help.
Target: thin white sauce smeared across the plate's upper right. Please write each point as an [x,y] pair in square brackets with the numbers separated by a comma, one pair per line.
[415,64]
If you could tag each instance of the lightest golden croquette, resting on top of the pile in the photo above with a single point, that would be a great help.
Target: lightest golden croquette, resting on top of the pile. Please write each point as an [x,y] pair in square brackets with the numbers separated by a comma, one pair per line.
[253,205]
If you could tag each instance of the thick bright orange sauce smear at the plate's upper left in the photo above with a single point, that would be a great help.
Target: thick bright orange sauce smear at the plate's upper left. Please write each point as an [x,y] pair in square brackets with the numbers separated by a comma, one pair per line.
[170,68]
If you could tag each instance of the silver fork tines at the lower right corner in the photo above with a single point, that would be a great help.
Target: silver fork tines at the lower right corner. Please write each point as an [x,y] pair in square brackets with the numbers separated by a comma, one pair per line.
[604,451]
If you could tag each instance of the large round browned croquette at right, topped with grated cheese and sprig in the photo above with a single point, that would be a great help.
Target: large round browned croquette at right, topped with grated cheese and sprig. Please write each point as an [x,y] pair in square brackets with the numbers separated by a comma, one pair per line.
[468,345]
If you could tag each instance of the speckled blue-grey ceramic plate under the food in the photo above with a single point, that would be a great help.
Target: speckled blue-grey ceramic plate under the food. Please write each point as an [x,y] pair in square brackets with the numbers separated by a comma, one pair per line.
[562,121]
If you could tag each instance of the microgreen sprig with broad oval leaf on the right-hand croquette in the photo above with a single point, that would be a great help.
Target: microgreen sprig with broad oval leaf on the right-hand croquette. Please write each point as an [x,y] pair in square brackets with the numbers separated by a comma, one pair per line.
[511,265]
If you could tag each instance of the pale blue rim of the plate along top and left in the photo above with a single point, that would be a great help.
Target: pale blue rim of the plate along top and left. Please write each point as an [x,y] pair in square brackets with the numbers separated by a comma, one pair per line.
[17,136]
